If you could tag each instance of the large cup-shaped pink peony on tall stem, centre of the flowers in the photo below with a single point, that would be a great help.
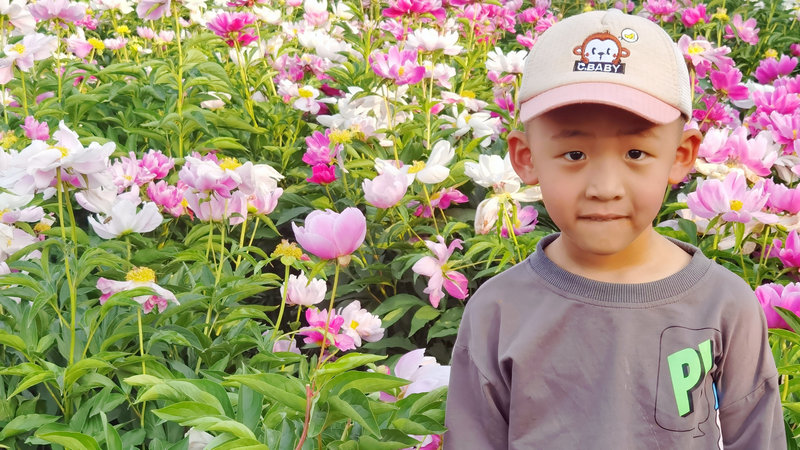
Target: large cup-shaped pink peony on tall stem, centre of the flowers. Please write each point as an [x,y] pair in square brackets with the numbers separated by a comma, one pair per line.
[331,235]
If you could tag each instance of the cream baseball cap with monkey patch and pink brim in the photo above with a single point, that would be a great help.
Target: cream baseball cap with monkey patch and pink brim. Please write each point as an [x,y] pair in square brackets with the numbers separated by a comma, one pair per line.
[606,57]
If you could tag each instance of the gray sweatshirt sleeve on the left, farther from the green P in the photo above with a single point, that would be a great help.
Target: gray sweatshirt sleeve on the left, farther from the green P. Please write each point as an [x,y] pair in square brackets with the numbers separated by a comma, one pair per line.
[476,416]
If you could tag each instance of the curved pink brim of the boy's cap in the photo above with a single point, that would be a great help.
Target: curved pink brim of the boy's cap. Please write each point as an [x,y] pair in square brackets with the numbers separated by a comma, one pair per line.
[627,98]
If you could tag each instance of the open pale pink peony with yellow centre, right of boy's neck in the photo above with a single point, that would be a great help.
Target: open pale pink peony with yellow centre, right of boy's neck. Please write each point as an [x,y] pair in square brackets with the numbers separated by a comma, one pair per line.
[731,199]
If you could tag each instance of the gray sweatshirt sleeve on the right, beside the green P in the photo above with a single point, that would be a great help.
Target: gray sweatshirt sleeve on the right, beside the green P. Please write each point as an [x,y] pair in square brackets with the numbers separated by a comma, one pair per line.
[751,415]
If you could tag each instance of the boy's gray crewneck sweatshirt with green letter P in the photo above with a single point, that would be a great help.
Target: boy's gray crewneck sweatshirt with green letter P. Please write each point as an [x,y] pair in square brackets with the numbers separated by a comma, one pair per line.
[546,359]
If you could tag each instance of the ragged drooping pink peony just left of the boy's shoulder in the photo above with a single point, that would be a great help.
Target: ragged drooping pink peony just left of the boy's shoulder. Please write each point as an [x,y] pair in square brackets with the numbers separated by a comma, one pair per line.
[438,269]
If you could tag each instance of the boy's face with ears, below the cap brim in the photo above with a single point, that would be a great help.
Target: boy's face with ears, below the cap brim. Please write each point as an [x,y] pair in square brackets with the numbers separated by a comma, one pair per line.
[603,171]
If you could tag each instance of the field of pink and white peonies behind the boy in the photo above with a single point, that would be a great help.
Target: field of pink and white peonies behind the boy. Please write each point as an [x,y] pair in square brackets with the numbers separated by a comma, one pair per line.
[255,223]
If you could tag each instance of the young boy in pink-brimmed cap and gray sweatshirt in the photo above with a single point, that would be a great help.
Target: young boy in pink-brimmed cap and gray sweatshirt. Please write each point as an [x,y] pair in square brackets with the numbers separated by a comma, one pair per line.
[610,336]
